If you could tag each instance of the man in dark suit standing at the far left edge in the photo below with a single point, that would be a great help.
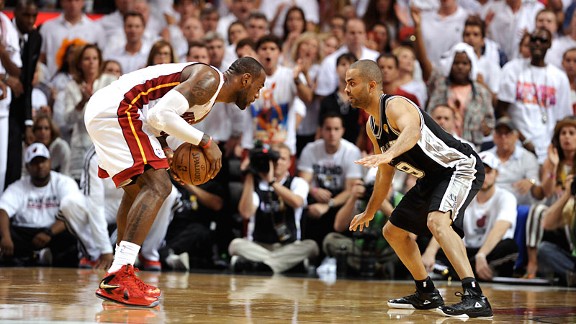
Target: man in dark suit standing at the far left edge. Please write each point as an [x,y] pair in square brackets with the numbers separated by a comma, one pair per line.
[20,118]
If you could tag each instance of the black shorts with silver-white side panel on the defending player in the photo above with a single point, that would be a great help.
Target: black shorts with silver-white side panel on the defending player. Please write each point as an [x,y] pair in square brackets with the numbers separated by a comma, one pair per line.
[450,193]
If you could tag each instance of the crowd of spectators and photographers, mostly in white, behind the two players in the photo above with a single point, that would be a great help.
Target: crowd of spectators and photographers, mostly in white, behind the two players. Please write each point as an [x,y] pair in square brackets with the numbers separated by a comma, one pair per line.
[499,75]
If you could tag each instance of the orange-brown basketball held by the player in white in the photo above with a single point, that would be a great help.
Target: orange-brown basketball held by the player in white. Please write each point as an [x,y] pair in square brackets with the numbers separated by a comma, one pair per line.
[190,165]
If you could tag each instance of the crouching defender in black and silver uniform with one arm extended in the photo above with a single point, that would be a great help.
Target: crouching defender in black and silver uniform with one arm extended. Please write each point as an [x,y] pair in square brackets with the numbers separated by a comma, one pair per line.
[449,175]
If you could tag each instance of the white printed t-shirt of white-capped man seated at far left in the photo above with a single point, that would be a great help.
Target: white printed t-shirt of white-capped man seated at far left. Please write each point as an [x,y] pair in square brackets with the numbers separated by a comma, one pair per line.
[36,207]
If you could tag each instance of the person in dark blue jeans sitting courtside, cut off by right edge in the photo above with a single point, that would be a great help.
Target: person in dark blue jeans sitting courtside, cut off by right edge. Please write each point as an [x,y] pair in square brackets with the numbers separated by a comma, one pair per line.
[554,257]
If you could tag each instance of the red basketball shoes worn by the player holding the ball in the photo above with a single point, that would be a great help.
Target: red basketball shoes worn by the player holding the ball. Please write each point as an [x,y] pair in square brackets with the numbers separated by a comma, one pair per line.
[123,287]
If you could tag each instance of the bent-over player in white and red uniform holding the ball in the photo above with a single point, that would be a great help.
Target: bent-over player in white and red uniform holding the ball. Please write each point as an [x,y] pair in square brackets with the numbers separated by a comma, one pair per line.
[124,120]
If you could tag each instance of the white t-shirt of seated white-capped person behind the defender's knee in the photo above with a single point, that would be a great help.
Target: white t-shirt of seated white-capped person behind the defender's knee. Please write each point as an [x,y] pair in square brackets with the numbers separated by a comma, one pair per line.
[479,219]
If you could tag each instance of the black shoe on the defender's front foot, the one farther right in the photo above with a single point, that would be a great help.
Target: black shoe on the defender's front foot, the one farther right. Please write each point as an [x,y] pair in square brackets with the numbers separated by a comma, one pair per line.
[473,305]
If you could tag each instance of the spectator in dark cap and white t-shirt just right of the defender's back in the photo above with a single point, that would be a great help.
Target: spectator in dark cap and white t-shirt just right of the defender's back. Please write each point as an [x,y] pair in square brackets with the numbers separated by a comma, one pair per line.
[518,170]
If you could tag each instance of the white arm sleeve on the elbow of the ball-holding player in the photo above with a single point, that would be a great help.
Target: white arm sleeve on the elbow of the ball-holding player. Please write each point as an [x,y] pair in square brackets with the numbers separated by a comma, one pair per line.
[165,116]
